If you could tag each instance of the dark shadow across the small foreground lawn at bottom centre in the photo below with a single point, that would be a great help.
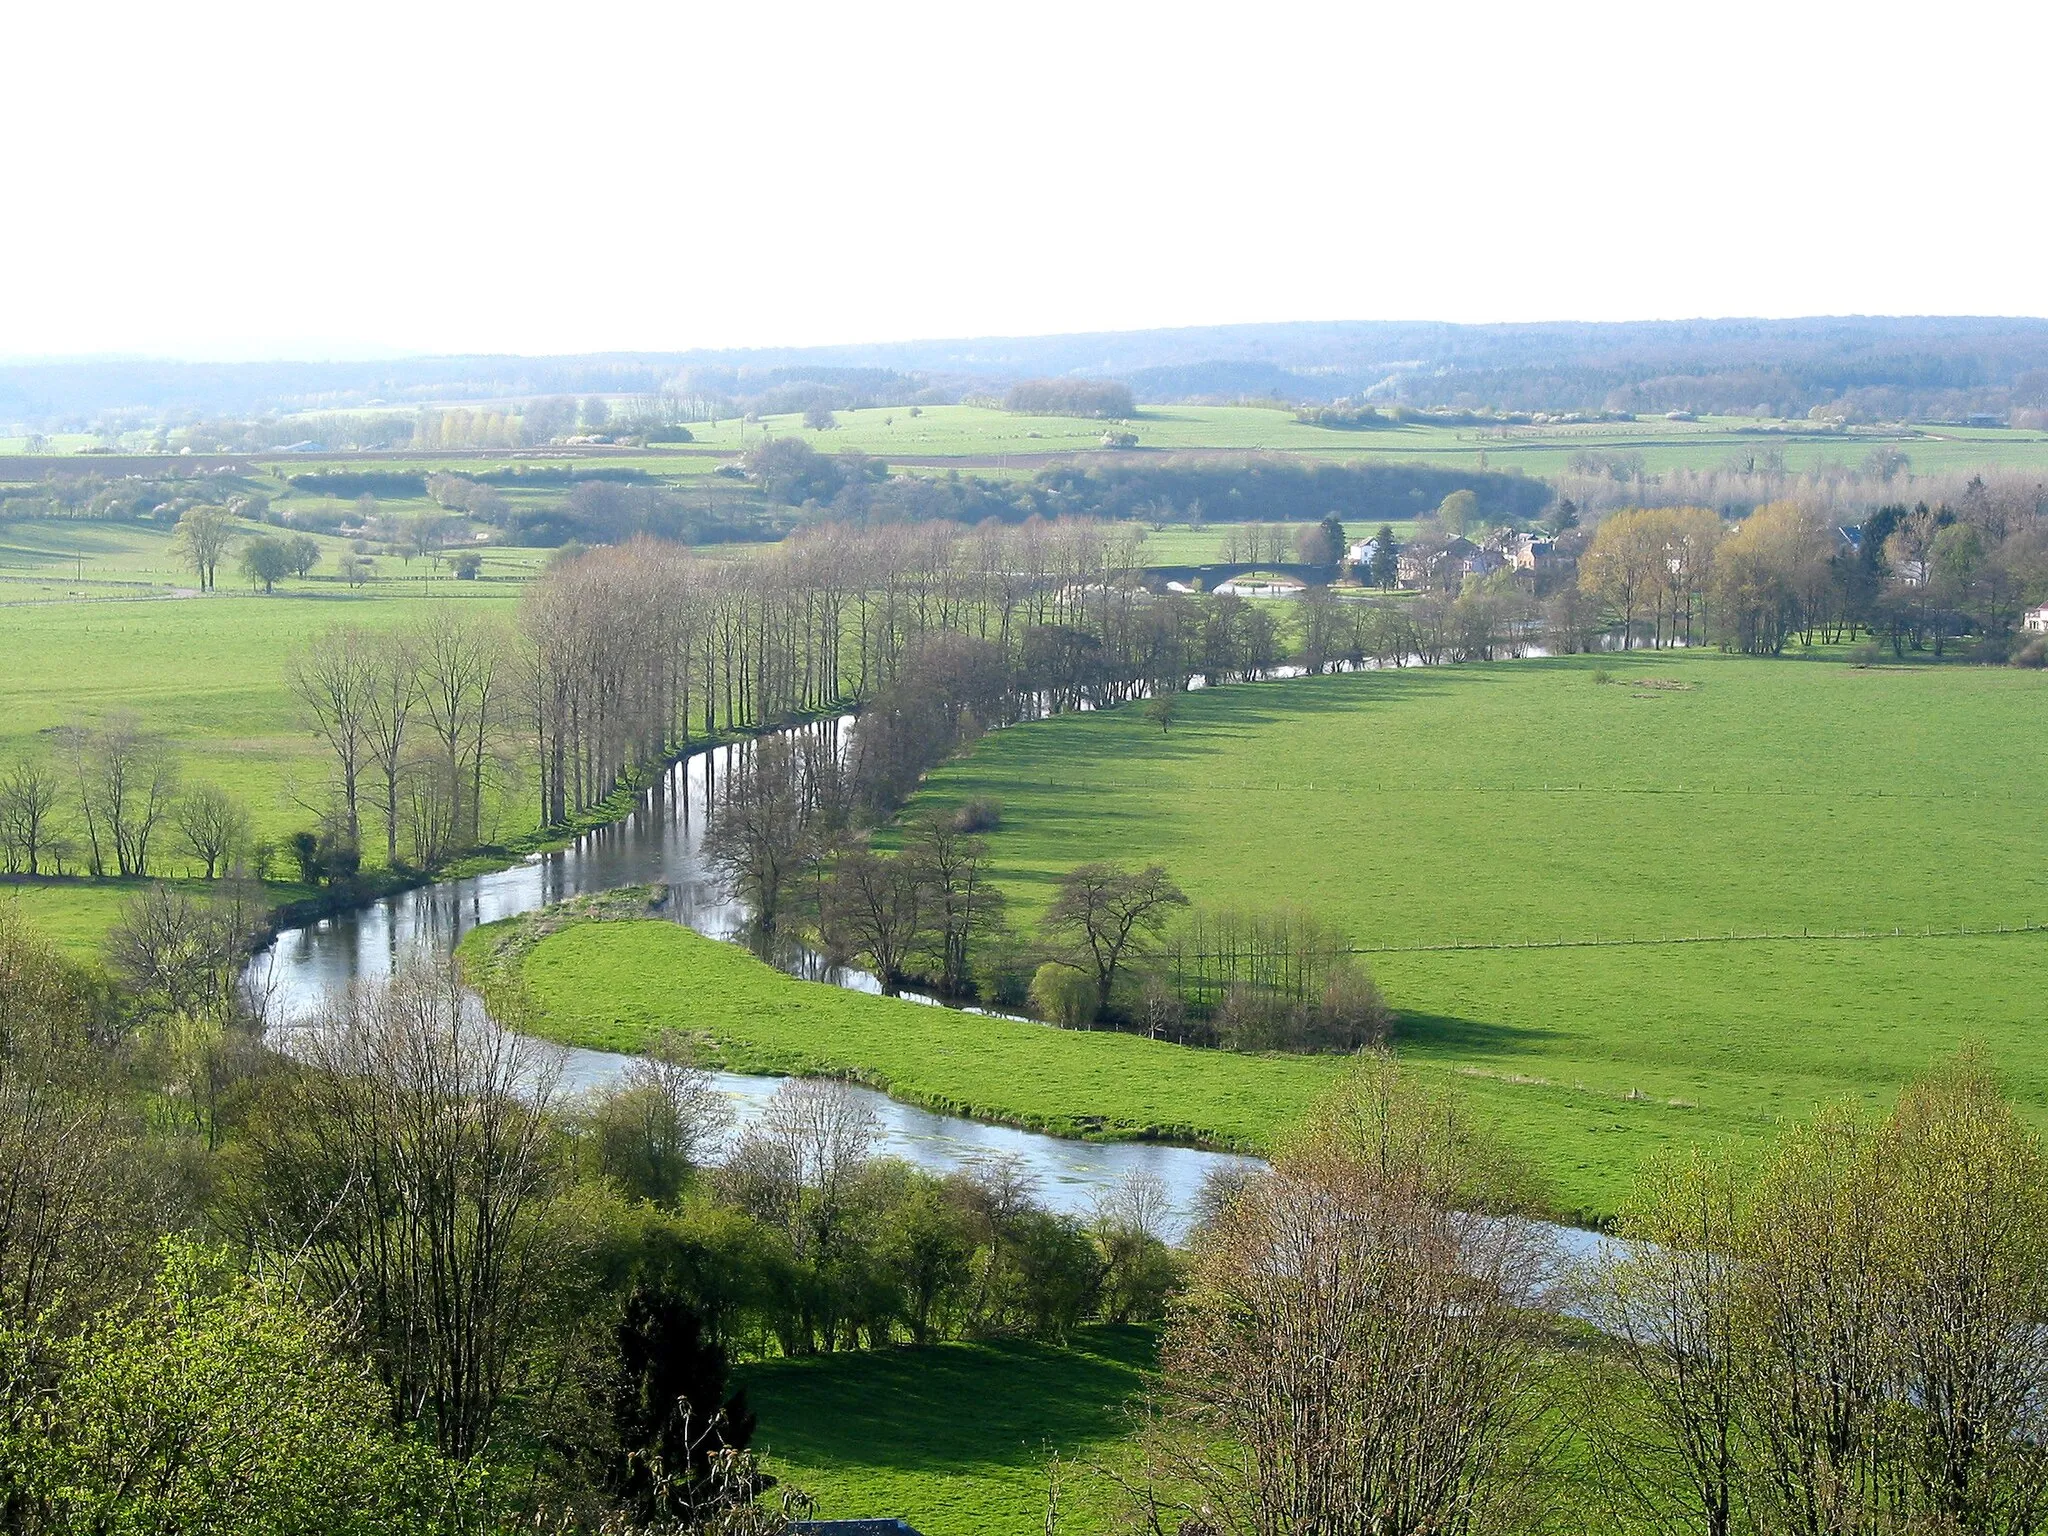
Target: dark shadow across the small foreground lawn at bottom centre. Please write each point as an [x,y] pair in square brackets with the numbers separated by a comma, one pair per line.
[951,1406]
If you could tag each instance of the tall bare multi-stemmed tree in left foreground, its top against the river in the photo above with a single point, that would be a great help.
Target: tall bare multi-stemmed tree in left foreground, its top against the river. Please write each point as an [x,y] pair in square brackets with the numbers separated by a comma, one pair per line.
[407,1162]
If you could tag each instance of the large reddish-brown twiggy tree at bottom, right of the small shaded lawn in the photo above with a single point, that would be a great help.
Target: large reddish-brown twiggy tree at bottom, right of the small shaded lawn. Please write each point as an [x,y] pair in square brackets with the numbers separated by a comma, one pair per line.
[1353,1357]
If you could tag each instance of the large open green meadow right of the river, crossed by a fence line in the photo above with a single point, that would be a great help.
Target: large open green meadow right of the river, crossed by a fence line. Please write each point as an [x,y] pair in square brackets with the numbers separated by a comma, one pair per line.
[1529,802]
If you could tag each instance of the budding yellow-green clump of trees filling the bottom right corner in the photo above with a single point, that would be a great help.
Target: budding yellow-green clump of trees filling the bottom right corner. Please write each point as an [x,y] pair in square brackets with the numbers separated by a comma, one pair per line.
[1844,1338]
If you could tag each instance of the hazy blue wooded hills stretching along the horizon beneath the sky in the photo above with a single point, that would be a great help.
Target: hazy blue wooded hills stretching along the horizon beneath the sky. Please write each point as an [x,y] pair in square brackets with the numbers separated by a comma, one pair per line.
[1879,368]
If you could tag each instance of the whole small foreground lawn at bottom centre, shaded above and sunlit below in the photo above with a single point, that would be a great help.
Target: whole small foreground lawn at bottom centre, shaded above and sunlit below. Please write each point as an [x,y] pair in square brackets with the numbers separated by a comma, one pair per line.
[955,1439]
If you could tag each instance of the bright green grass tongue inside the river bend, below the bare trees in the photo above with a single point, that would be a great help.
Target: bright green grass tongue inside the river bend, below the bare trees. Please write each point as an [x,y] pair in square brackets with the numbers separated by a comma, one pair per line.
[617,984]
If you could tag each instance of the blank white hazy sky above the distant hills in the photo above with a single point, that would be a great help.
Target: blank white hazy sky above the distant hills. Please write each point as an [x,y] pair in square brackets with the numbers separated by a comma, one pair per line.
[323,179]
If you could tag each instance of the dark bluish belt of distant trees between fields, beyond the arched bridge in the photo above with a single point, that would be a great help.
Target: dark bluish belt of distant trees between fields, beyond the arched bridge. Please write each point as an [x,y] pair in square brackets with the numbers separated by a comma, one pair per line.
[1258,488]
